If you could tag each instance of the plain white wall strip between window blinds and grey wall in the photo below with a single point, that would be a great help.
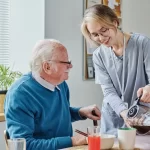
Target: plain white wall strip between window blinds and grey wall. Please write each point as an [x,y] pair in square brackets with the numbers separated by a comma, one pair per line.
[27,26]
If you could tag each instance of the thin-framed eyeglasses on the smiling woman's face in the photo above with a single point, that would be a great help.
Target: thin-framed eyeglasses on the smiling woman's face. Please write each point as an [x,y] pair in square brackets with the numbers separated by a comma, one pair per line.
[103,32]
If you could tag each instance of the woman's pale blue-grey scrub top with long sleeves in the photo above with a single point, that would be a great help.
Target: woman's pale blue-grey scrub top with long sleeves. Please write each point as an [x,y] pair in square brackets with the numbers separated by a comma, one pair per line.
[136,75]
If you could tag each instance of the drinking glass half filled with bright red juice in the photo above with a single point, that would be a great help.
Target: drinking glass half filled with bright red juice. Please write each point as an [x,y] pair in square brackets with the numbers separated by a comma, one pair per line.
[93,138]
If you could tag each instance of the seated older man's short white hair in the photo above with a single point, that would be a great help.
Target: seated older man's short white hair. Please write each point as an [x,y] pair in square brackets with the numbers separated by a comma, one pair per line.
[43,51]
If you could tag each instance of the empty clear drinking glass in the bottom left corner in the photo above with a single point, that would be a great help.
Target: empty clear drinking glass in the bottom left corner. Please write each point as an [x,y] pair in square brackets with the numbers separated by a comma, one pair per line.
[17,144]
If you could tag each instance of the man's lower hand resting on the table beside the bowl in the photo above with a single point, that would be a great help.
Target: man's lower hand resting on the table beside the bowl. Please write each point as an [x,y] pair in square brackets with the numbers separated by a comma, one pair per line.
[78,140]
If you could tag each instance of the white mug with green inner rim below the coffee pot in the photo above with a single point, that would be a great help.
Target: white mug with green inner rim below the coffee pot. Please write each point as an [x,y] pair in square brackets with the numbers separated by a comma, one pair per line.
[126,138]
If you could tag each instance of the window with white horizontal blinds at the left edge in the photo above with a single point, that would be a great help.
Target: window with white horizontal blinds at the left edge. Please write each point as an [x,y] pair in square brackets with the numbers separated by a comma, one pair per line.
[4,31]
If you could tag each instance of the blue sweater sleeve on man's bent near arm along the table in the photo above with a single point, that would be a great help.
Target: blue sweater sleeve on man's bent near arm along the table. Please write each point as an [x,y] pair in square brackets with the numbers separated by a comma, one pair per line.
[20,123]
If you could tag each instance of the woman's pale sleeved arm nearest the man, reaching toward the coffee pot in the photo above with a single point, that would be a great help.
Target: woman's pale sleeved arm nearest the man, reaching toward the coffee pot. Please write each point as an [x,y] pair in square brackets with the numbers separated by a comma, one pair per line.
[110,94]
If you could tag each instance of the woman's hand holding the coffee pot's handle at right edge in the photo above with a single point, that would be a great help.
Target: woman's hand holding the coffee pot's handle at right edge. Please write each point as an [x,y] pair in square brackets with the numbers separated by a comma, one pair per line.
[145,92]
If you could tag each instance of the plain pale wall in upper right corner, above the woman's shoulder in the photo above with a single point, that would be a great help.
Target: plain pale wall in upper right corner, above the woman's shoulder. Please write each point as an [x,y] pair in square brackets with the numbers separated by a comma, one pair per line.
[135,14]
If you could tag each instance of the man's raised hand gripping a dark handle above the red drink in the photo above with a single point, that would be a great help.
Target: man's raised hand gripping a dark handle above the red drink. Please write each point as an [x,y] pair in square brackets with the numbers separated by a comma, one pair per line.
[87,112]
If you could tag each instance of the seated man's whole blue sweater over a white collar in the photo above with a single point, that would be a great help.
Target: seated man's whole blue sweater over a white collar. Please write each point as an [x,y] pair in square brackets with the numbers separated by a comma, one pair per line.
[41,116]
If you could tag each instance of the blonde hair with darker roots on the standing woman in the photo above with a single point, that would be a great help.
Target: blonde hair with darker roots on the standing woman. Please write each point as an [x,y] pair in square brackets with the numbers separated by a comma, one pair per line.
[99,13]
